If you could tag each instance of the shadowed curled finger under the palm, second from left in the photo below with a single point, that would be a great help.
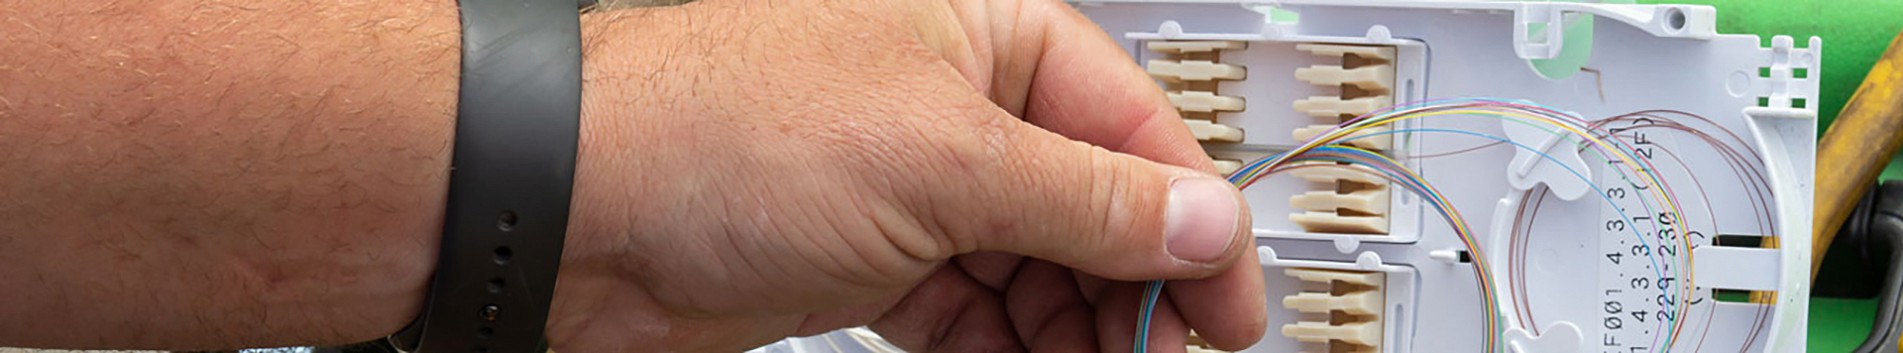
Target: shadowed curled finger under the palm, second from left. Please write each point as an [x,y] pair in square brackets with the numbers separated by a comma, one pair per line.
[1050,310]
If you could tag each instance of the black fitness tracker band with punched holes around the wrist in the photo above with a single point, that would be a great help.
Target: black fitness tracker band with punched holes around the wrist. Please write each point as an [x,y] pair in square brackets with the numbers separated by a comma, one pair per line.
[513,169]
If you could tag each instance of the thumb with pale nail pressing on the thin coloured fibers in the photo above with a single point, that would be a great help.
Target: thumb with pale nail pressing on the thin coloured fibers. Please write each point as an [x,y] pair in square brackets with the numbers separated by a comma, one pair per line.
[1108,215]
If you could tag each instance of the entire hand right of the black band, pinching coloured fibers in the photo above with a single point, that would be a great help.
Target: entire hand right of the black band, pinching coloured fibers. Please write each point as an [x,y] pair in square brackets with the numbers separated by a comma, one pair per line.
[755,171]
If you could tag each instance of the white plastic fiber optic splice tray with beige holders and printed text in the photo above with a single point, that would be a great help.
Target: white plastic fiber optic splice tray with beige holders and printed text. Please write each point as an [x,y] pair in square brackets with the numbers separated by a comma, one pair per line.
[1580,259]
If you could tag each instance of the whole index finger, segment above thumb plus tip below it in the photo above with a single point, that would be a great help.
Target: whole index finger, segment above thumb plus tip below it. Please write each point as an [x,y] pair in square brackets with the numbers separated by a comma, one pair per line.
[1112,102]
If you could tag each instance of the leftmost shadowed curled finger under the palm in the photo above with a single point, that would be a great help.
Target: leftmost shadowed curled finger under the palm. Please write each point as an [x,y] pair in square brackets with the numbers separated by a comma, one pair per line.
[949,312]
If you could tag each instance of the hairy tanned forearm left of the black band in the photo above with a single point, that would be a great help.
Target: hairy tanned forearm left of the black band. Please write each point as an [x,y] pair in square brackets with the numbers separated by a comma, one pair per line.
[199,175]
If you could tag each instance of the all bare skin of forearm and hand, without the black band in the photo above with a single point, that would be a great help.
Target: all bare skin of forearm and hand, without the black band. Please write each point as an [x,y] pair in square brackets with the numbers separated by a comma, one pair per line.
[968,175]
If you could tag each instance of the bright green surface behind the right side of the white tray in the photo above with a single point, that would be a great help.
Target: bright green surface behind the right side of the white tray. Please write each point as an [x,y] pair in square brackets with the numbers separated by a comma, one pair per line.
[1854,35]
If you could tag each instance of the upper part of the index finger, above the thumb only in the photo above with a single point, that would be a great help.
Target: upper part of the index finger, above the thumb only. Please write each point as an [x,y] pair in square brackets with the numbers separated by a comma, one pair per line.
[1072,79]
